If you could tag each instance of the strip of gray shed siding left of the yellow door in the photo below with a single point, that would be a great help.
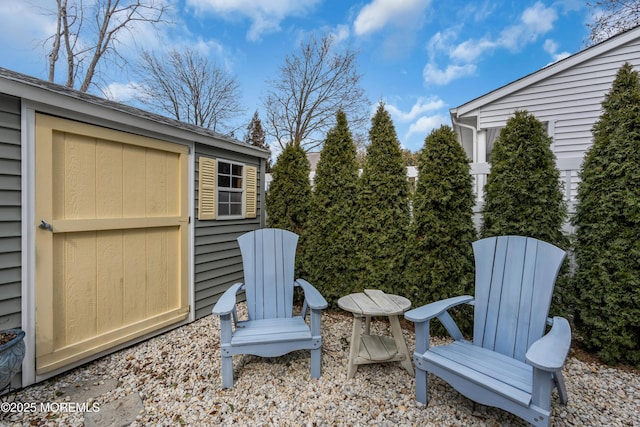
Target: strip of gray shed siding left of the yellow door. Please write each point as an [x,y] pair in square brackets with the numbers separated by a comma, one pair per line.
[10,213]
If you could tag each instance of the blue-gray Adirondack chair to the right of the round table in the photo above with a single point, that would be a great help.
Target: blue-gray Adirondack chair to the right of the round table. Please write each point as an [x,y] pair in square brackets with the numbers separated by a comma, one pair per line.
[511,363]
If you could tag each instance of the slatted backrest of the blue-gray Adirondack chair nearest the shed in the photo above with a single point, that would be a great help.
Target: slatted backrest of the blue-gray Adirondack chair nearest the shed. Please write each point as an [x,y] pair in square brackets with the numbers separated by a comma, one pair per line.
[268,257]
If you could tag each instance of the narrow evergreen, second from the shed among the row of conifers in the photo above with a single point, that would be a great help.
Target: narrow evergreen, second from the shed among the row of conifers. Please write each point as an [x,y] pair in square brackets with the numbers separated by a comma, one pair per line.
[329,244]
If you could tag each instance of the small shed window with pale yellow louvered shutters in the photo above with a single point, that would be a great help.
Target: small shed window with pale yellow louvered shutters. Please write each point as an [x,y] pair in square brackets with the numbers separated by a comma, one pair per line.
[226,189]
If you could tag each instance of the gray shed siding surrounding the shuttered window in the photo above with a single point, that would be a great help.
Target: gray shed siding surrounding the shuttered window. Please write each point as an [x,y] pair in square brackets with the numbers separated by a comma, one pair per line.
[218,263]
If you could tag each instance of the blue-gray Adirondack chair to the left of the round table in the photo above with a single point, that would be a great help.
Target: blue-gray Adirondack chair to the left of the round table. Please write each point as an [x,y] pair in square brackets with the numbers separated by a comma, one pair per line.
[268,257]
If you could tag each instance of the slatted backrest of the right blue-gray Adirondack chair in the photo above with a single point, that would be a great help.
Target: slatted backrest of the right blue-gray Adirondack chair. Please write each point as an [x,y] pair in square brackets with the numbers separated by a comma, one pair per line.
[515,277]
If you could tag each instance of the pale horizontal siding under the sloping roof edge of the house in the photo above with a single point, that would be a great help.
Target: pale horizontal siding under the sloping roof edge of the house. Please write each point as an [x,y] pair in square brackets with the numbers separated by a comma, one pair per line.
[572,99]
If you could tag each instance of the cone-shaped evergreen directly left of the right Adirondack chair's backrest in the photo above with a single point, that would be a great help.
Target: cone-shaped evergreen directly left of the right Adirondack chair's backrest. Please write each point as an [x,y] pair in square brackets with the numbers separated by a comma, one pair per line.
[442,229]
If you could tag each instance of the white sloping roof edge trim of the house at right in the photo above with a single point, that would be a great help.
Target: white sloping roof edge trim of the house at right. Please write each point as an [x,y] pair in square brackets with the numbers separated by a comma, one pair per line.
[571,61]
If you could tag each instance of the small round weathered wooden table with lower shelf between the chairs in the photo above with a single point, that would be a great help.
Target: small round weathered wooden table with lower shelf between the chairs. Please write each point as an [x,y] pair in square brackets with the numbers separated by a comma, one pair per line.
[367,348]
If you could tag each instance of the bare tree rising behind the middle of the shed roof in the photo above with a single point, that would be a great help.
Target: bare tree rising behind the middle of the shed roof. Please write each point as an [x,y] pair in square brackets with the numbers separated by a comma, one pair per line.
[189,88]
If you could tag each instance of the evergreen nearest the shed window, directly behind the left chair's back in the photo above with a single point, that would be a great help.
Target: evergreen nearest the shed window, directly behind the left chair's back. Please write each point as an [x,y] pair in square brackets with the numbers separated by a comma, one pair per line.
[289,195]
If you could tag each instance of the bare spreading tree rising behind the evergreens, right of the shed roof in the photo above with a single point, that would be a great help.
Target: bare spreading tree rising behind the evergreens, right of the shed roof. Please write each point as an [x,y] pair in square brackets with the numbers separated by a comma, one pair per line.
[314,83]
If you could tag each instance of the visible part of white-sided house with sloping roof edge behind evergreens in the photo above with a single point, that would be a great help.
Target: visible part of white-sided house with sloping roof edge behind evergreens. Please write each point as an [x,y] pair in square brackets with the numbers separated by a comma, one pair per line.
[569,101]
